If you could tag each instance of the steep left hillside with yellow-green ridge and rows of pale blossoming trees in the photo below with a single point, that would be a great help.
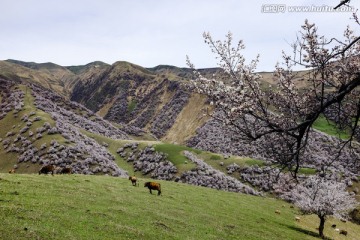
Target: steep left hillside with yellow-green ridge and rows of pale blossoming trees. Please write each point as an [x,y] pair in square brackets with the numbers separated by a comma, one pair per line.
[40,127]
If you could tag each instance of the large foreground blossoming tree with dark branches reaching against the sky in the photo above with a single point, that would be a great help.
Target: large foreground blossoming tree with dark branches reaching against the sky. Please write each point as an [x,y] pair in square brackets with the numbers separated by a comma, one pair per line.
[281,116]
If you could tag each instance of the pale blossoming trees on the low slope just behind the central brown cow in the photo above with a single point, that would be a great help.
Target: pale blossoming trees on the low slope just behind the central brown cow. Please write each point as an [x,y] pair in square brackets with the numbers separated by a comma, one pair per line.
[156,165]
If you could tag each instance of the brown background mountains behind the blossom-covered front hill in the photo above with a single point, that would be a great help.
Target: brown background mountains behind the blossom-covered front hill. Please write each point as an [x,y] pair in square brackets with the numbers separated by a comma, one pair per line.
[155,100]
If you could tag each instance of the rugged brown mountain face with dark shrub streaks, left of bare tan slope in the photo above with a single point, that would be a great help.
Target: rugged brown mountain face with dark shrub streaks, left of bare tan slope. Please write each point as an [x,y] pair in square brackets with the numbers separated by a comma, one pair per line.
[127,93]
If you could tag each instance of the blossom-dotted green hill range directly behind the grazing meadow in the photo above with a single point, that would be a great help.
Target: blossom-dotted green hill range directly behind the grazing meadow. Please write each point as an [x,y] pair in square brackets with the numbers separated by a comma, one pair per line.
[41,127]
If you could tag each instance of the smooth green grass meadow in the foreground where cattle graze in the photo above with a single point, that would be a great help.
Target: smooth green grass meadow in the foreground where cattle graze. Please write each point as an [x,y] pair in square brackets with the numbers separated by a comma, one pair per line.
[100,207]
